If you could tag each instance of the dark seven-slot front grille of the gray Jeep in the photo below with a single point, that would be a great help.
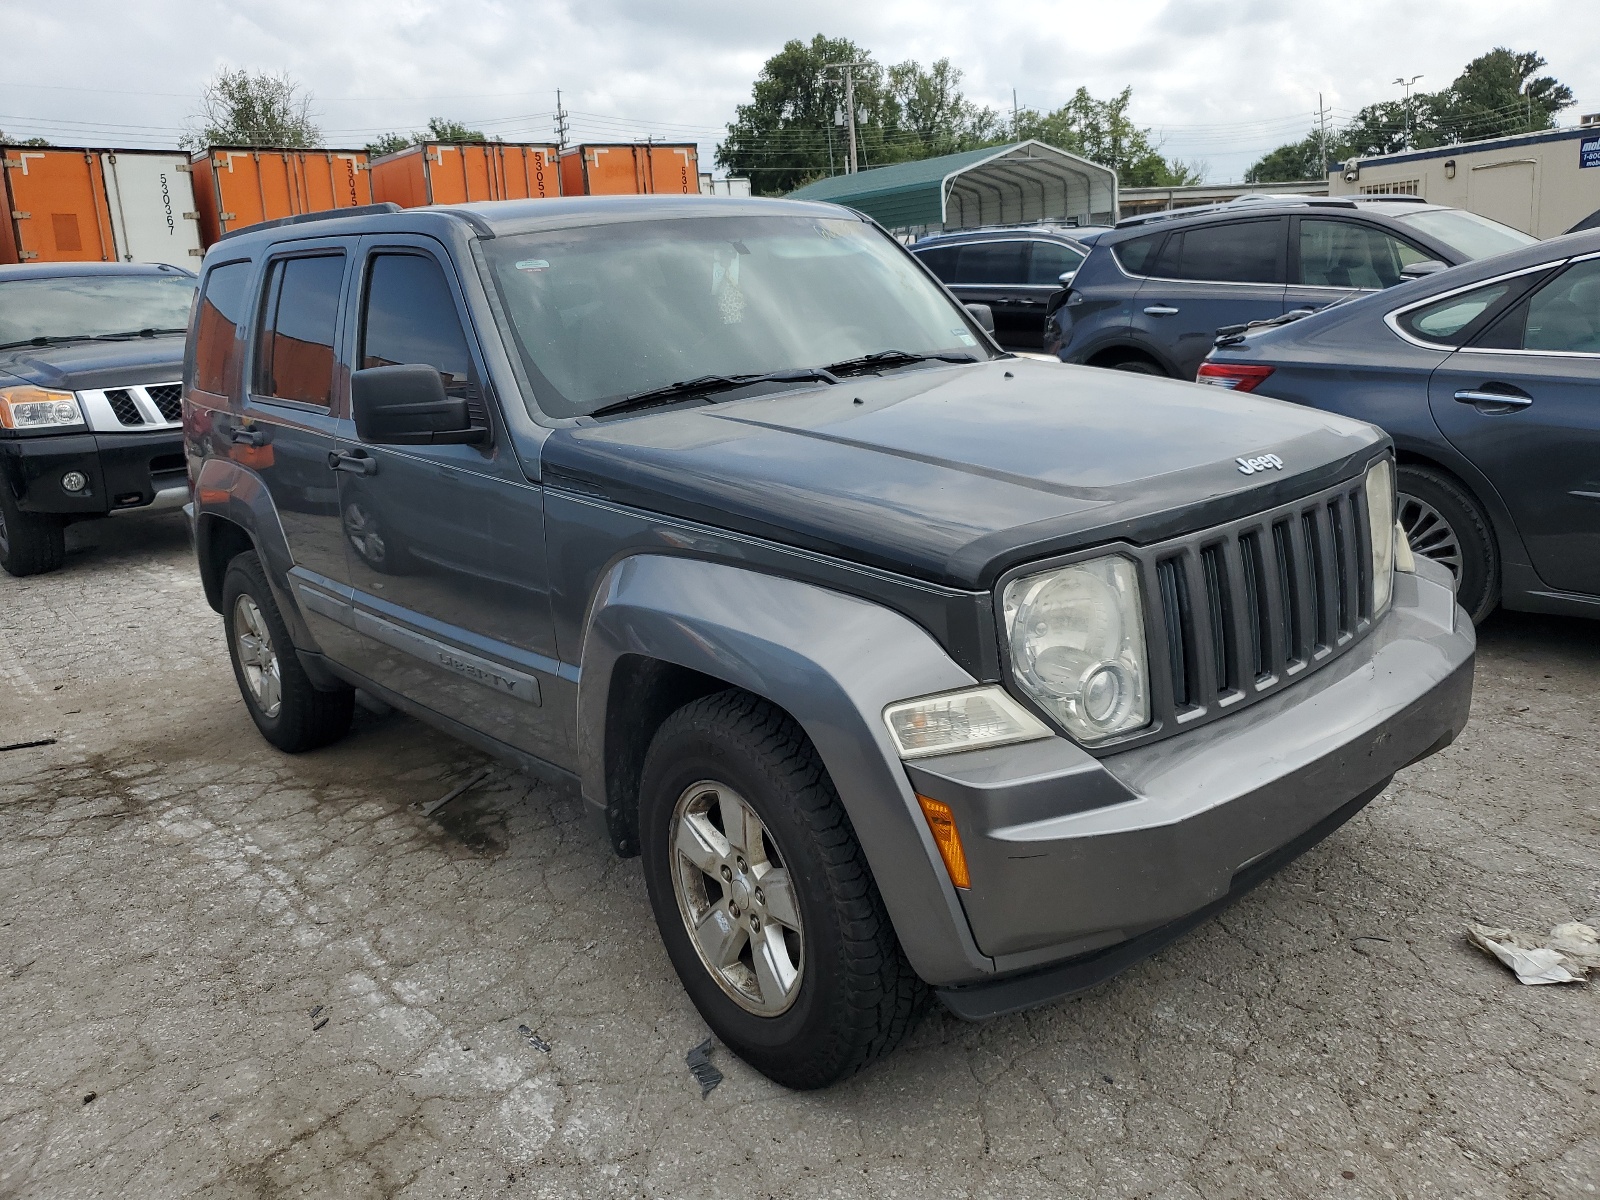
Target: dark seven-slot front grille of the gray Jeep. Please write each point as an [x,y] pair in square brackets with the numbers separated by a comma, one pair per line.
[1249,607]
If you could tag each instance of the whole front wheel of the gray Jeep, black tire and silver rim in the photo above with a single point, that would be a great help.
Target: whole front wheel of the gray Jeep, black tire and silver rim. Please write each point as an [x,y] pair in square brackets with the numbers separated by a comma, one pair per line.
[764,897]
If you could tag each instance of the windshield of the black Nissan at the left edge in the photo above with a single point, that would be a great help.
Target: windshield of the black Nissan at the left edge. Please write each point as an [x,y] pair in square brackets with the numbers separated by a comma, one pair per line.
[82,308]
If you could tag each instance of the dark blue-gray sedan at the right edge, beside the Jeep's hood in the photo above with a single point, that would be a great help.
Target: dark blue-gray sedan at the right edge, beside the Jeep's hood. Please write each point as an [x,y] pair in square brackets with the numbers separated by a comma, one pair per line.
[1489,380]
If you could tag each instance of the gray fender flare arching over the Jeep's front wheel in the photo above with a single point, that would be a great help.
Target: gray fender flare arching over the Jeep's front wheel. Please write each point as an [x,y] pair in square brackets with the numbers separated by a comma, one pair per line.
[833,663]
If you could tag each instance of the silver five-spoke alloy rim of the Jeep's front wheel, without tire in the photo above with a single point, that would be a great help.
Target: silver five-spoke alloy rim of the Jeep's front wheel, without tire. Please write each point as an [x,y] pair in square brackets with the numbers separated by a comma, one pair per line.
[737,898]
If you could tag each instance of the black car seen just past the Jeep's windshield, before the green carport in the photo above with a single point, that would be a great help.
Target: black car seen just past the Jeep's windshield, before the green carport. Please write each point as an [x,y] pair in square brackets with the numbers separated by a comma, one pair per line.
[1015,271]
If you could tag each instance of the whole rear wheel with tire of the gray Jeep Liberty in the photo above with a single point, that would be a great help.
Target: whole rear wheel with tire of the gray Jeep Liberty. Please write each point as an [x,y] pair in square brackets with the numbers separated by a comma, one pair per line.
[290,713]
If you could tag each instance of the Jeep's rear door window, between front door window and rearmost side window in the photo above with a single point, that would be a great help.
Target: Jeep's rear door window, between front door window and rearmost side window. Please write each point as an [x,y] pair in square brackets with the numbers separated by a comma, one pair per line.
[298,324]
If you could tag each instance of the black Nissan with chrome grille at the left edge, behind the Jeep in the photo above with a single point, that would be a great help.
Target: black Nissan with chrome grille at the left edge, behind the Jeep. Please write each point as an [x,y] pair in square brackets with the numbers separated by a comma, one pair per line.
[90,399]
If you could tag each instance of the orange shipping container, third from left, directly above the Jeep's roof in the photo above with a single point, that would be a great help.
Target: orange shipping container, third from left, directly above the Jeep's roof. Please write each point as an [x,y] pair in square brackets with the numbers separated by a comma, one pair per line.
[454,174]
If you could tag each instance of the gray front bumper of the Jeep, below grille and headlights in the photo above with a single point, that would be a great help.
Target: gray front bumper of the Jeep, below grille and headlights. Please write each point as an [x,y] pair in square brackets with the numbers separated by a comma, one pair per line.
[1082,866]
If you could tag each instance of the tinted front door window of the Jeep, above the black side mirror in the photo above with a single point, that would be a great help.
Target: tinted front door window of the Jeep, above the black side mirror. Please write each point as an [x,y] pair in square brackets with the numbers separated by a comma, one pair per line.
[410,318]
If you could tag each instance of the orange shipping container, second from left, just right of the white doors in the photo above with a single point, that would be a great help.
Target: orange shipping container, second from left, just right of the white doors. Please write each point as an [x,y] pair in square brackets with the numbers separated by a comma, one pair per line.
[239,186]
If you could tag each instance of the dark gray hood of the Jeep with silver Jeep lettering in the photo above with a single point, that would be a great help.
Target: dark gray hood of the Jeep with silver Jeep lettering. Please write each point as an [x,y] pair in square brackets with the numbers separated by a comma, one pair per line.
[954,474]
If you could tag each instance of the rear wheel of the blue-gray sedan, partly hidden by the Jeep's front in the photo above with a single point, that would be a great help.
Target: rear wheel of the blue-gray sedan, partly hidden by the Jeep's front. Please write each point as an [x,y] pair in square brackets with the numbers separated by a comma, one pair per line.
[1446,524]
